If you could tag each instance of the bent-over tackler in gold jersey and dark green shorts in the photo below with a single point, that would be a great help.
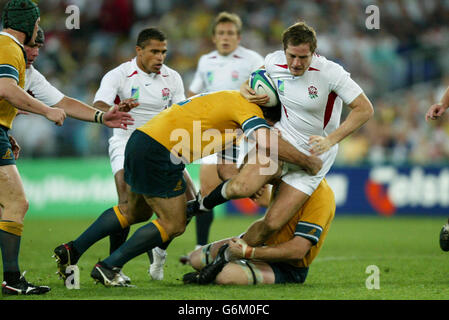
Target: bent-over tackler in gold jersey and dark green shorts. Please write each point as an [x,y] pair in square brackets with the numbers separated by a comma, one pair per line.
[155,158]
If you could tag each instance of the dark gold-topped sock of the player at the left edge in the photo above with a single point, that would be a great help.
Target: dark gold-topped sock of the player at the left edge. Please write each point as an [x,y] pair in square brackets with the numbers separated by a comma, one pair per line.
[10,236]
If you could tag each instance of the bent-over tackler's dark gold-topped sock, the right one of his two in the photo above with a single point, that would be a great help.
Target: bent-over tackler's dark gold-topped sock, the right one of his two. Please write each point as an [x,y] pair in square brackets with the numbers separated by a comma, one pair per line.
[144,239]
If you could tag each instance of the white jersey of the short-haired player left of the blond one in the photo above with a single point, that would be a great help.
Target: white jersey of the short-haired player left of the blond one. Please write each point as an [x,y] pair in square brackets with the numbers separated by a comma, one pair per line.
[154,92]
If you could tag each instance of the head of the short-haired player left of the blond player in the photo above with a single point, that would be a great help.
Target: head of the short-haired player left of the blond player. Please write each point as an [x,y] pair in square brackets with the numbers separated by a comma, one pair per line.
[151,49]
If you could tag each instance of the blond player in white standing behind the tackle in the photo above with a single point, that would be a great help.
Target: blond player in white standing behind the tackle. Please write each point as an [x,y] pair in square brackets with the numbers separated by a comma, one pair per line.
[225,68]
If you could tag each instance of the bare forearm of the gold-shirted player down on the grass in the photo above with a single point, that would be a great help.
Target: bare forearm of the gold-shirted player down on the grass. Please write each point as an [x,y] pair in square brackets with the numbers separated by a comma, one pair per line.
[292,250]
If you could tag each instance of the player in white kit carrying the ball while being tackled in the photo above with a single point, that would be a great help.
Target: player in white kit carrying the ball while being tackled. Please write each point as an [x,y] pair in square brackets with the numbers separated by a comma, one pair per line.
[312,90]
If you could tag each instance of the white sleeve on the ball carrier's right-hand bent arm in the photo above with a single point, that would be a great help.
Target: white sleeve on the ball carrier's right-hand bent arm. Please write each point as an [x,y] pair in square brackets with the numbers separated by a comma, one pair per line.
[342,84]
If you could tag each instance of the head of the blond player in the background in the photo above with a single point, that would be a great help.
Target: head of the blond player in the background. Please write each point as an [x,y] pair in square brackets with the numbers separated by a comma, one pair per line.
[226,32]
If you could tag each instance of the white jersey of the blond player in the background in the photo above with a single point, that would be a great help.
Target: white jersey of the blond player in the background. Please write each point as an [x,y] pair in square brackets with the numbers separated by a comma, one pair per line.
[216,72]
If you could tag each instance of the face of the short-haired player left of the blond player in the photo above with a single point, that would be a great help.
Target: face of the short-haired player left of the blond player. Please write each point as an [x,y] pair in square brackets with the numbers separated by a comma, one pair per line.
[151,57]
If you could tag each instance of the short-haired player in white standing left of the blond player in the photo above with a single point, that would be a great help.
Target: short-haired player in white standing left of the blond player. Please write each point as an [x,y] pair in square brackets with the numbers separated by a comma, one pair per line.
[156,87]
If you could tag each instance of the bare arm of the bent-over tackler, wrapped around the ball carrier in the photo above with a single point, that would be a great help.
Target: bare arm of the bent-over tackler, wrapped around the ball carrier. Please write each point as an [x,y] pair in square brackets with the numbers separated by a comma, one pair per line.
[274,146]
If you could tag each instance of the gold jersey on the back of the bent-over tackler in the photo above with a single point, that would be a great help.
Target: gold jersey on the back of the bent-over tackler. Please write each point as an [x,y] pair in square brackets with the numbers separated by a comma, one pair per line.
[205,124]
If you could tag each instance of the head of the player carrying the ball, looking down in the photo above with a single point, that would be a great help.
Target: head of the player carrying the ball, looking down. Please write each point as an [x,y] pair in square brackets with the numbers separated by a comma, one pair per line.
[300,43]
